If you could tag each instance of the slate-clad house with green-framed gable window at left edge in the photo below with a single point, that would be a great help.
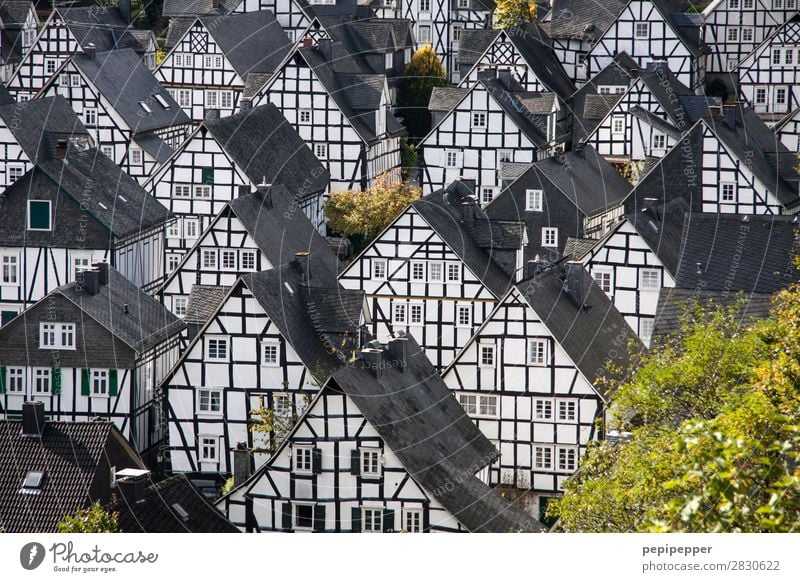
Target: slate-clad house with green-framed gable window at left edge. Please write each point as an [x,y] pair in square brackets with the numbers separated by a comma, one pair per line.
[65,214]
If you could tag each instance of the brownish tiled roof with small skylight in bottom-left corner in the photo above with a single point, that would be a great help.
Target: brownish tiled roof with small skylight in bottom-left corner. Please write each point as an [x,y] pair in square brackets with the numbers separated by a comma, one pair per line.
[69,453]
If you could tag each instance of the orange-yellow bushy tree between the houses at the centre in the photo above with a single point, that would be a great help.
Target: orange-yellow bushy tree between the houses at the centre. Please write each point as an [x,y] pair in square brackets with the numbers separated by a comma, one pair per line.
[368,212]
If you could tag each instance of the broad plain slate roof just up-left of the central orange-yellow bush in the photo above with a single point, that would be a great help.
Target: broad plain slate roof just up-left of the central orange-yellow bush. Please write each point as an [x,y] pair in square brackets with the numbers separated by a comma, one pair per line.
[266,147]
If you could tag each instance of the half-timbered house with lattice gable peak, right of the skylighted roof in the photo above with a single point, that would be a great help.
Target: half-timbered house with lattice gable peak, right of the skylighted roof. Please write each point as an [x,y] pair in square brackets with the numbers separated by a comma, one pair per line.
[208,67]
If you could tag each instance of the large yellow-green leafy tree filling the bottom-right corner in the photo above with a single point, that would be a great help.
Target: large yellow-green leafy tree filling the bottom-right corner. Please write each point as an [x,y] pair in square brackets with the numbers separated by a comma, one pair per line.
[714,423]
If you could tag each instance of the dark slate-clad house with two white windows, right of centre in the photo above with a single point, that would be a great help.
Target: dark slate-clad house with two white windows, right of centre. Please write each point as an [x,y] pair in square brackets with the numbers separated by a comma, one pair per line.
[555,196]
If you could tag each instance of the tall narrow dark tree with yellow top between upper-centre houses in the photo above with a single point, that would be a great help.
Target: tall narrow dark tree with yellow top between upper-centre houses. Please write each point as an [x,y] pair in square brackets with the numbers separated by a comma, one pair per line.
[423,72]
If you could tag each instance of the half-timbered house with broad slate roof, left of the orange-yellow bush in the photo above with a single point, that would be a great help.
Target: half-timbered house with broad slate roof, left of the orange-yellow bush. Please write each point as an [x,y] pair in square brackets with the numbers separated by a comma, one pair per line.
[226,156]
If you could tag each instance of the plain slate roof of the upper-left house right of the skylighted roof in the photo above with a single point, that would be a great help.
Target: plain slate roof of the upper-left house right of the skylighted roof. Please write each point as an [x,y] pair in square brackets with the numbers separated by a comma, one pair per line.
[253,42]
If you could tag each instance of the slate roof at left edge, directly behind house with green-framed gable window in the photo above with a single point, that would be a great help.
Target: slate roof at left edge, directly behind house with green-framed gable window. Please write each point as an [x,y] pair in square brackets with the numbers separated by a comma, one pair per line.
[38,124]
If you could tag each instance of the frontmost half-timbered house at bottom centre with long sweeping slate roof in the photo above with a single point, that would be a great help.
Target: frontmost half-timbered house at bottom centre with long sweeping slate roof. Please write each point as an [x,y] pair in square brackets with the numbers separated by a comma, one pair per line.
[382,448]
